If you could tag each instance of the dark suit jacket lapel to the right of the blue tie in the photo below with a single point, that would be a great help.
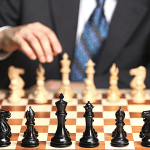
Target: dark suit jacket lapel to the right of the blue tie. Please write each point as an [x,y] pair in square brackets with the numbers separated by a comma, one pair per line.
[127,17]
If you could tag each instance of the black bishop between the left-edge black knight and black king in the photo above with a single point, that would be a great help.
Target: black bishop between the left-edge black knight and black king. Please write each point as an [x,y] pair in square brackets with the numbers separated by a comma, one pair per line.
[30,139]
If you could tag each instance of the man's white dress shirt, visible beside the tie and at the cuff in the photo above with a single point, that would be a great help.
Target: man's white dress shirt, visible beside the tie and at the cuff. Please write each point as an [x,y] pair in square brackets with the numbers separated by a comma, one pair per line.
[85,10]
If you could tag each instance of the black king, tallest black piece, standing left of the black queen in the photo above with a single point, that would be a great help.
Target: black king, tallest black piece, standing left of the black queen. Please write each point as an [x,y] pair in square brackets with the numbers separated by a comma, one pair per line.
[61,137]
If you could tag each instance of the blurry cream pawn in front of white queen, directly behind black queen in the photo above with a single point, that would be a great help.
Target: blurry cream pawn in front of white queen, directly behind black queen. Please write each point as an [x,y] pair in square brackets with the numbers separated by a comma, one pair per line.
[89,95]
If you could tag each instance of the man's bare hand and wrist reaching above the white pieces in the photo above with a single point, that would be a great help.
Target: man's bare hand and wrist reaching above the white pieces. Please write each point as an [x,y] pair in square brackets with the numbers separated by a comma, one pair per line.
[34,40]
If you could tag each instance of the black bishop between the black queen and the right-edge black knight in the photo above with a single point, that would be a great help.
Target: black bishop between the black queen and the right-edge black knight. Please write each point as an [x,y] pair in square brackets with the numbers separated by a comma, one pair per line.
[119,139]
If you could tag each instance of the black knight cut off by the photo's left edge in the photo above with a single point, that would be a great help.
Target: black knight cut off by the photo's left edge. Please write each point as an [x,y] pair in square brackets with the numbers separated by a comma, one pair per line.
[5,131]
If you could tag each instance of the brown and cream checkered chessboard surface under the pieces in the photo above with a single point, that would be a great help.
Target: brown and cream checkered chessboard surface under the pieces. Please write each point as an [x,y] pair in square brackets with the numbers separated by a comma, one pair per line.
[104,119]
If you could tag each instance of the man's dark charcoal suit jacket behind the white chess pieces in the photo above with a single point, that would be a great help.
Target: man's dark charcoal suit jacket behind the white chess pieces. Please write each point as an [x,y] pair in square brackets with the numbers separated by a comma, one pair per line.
[127,44]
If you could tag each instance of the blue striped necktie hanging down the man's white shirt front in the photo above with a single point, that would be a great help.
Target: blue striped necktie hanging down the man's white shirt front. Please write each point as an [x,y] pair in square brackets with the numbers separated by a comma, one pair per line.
[90,45]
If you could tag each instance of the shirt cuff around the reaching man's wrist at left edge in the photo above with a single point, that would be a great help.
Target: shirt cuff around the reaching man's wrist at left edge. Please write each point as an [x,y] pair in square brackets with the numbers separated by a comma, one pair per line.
[3,54]
